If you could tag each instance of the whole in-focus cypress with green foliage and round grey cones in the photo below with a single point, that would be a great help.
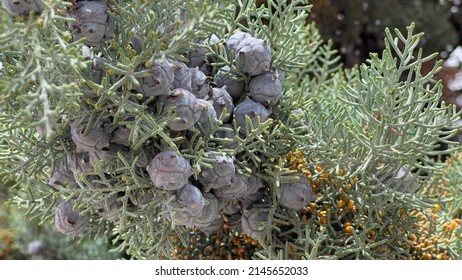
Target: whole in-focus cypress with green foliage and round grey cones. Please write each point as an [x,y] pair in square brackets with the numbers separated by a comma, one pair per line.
[84,124]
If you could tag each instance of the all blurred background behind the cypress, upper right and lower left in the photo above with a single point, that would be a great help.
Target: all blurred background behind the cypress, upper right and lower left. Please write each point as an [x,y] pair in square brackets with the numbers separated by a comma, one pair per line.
[356,28]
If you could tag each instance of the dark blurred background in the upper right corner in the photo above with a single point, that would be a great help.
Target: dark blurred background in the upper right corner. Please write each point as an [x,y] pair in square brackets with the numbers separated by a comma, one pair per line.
[356,27]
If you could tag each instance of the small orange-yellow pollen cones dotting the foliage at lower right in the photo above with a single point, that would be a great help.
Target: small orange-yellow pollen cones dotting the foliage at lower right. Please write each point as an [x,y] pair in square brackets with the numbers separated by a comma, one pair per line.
[421,247]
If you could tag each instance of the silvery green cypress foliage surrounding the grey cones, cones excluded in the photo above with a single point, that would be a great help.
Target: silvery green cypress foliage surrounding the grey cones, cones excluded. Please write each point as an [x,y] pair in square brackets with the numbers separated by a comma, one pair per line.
[383,113]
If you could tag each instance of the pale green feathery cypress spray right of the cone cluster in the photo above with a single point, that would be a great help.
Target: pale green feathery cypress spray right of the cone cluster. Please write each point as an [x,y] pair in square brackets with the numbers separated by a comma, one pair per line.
[370,121]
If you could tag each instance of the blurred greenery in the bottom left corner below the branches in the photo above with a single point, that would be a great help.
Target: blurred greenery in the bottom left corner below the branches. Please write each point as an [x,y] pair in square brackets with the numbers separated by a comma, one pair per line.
[22,238]
